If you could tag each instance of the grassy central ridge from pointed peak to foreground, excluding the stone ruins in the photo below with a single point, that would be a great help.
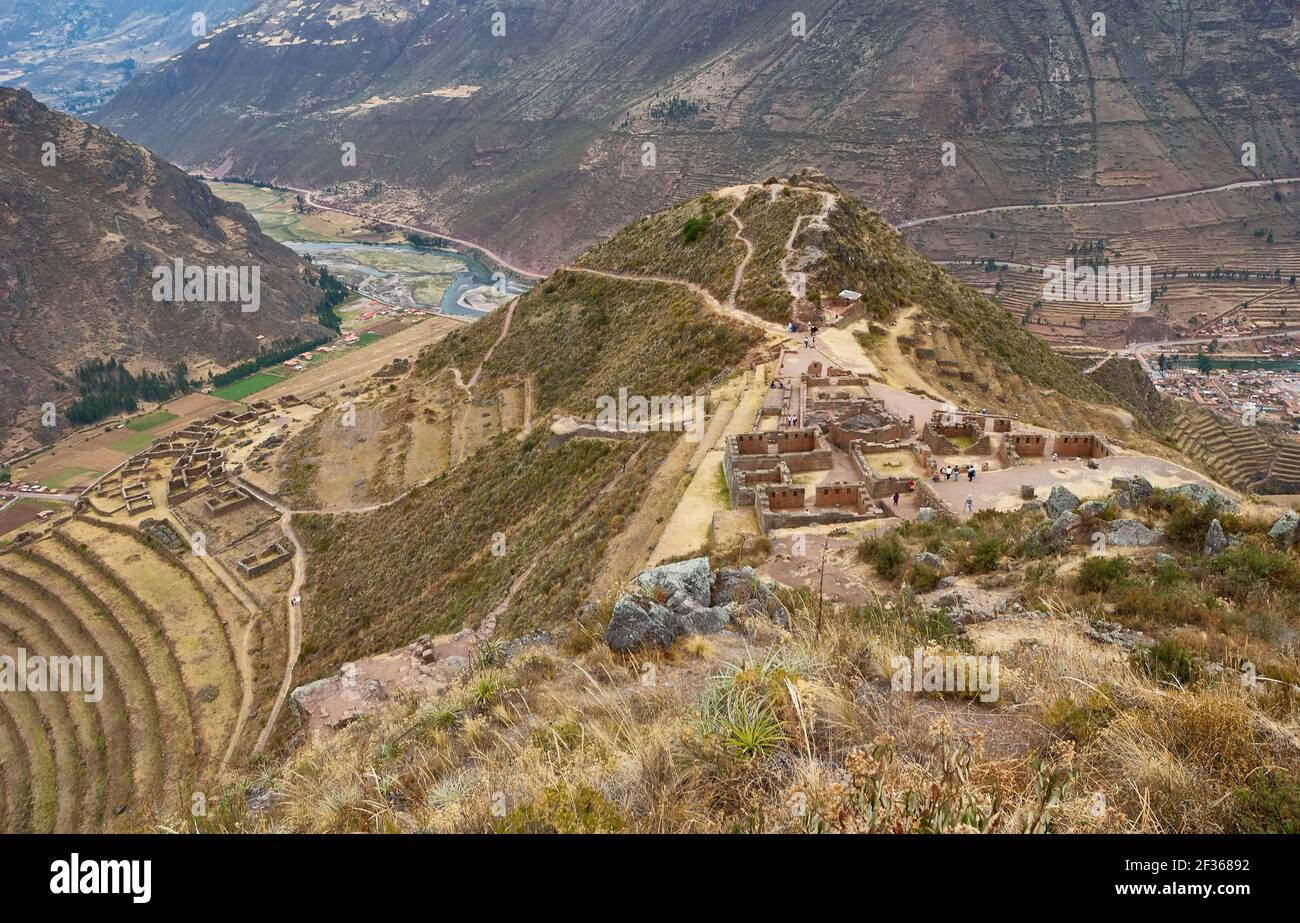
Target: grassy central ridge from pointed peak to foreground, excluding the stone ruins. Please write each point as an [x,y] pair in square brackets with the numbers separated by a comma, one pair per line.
[1117,679]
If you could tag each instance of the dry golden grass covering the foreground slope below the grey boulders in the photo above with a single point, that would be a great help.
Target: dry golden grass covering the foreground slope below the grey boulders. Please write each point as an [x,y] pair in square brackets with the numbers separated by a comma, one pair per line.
[779,731]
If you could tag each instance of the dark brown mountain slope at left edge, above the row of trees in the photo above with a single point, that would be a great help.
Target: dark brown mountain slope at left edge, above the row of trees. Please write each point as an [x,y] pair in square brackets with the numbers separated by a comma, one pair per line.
[81,240]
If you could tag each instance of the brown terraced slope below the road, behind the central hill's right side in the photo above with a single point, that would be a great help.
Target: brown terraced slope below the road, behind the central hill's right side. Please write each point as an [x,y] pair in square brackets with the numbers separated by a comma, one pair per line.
[1233,253]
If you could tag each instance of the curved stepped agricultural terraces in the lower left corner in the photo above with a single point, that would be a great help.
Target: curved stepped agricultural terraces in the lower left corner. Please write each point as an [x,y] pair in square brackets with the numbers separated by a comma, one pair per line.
[179,682]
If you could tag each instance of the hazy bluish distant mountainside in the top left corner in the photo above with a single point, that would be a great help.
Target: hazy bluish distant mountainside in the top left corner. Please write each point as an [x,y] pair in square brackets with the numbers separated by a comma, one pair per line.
[75,55]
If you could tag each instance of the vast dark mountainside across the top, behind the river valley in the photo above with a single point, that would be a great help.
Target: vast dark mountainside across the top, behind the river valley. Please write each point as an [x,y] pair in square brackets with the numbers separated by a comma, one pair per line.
[514,124]
